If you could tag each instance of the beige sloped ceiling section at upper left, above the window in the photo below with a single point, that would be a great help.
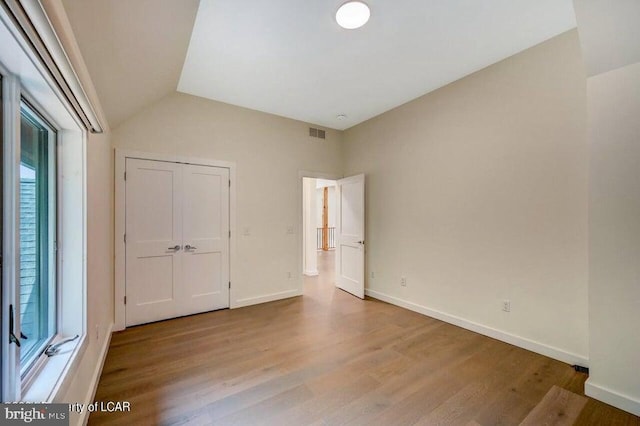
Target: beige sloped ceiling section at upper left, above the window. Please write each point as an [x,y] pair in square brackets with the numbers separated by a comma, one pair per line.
[134,49]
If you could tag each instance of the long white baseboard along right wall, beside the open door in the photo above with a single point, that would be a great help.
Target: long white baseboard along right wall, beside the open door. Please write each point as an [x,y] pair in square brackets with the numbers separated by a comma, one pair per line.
[531,345]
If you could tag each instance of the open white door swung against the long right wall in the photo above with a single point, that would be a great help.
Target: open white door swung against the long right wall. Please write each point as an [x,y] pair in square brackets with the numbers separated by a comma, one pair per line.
[350,235]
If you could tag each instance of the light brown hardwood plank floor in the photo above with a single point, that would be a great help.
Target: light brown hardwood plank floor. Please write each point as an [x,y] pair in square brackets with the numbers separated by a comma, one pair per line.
[330,358]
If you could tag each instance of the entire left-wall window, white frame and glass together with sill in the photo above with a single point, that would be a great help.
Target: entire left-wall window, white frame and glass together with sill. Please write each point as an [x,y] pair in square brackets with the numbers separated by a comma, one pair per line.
[43,222]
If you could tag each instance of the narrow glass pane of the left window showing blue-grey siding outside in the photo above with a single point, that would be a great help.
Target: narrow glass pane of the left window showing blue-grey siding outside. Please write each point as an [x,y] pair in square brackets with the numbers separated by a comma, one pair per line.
[37,236]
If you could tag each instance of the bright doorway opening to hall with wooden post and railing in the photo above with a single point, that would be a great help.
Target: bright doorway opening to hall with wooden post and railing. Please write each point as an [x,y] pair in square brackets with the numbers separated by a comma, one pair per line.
[319,206]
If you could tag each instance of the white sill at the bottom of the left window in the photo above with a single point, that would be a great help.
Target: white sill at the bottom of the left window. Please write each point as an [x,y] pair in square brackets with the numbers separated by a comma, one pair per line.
[53,379]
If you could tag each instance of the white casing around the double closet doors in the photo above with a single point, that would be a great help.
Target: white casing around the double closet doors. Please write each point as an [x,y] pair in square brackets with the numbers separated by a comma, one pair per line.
[121,156]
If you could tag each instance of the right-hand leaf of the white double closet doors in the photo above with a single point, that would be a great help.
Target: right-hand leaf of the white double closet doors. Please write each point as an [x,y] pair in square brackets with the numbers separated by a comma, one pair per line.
[205,218]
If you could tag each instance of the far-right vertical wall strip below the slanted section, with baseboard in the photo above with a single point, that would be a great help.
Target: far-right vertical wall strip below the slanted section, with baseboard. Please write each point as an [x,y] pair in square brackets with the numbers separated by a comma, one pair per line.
[614,263]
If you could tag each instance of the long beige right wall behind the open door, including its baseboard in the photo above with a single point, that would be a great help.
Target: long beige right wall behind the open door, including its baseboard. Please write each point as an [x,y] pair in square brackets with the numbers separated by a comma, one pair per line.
[477,193]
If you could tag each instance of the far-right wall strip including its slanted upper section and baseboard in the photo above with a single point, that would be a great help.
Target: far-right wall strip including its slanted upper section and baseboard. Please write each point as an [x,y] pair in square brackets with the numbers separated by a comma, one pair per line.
[610,36]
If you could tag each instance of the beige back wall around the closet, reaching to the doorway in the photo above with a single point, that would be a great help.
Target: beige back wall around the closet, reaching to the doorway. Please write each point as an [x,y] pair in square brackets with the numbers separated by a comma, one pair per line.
[265,148]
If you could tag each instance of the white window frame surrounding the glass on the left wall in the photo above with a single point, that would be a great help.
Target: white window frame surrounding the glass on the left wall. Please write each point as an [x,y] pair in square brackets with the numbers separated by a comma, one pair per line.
[24,76]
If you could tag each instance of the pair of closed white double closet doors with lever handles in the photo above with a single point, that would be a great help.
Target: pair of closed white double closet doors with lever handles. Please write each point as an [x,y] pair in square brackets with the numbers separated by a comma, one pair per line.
[170,206]
